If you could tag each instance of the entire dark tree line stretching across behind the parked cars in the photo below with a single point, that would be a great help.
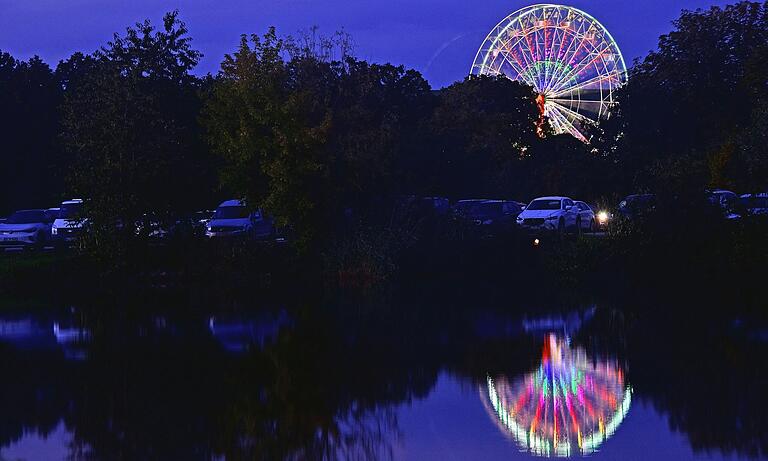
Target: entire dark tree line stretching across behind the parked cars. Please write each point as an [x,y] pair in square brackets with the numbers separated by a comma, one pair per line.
[302,128]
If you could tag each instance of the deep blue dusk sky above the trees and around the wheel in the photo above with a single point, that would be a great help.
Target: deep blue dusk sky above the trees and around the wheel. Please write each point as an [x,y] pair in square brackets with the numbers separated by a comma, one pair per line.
[437,37]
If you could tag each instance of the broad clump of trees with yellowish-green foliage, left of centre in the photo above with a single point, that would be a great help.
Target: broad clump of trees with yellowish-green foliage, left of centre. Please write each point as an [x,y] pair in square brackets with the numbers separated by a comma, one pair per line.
[307,138]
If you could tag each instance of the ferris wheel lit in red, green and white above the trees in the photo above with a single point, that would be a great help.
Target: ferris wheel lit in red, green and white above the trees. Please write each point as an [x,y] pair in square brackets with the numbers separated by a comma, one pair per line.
[566,55]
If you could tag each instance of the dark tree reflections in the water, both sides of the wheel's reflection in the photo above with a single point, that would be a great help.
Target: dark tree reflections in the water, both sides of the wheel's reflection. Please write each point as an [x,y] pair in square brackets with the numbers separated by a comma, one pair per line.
[329,385]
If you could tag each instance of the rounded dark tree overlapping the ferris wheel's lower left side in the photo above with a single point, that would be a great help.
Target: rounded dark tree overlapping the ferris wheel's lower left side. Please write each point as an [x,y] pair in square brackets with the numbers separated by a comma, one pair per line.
[481,129]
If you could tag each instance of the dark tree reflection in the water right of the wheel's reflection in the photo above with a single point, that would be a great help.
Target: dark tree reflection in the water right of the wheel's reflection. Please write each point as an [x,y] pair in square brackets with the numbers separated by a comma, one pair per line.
[706,376]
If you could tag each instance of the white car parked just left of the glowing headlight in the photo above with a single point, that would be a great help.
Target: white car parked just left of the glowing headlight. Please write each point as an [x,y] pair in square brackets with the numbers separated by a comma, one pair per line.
[550,214]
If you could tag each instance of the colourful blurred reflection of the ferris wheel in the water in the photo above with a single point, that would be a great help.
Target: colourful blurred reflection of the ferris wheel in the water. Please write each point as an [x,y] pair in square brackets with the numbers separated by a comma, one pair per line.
[568,406]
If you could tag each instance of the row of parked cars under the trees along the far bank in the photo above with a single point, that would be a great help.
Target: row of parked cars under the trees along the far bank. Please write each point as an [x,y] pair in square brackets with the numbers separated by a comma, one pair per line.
[60,228]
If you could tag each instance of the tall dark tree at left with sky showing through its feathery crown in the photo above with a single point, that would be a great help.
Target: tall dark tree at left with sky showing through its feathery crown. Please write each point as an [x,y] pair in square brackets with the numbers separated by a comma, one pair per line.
[129,121]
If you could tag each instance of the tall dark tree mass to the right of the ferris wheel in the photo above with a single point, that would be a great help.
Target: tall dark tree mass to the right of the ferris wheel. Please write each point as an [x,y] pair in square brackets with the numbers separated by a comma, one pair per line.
[692,107]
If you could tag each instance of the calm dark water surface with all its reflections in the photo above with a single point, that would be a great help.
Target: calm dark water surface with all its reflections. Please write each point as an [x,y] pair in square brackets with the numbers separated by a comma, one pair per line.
[384,380]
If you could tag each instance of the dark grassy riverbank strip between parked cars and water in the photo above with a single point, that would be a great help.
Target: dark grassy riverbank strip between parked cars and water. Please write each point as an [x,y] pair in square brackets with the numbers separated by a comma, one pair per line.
[723,259]
